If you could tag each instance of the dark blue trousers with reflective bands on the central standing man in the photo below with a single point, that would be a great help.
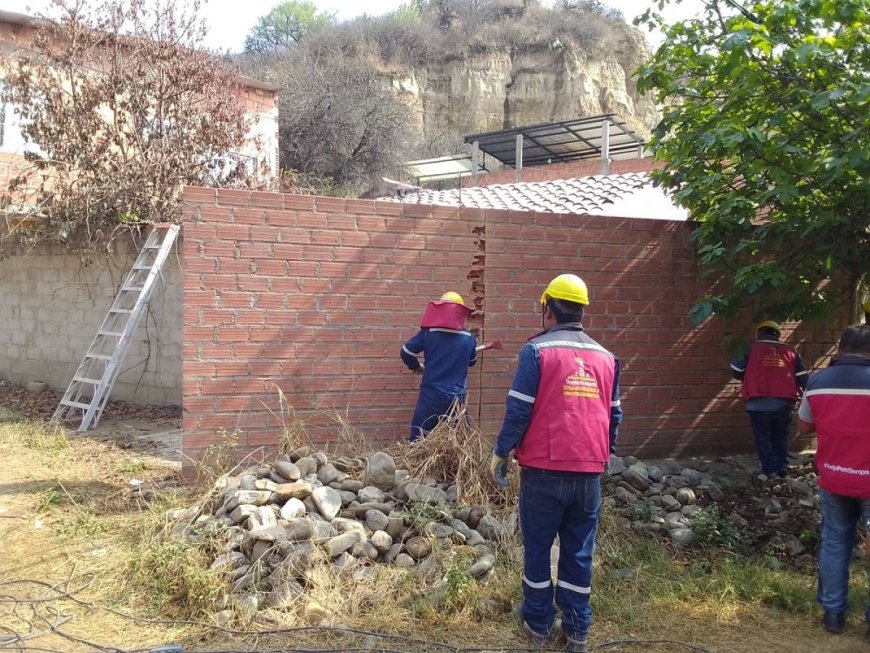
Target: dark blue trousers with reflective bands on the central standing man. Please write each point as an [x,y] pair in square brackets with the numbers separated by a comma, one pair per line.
[566,504]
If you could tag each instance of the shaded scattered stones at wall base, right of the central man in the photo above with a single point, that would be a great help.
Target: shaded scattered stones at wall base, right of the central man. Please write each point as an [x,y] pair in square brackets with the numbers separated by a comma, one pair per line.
[664,499]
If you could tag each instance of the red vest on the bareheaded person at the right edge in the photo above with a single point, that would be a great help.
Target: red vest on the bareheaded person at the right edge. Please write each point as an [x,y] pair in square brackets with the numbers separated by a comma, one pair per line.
[843,453]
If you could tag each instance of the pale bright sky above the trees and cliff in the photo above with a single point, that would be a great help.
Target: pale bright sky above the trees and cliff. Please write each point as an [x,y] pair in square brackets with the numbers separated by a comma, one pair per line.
[230,20]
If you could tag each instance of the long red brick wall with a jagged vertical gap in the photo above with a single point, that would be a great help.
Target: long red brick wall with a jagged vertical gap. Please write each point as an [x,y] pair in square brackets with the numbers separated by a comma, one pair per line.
[315,296]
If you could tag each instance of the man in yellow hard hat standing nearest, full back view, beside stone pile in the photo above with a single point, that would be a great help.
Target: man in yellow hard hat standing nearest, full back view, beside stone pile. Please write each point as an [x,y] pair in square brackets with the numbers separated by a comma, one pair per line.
[562,415]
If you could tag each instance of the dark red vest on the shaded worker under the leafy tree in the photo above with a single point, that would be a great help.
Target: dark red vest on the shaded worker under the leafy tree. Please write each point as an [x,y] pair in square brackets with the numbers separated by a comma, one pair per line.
[770,371]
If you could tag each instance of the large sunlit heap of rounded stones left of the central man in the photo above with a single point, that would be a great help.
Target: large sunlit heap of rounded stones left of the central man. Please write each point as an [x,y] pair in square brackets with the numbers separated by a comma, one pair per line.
[278,522]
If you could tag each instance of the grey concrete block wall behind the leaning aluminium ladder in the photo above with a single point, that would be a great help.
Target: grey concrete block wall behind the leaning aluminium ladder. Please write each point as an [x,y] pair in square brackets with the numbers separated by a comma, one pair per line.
[51,304]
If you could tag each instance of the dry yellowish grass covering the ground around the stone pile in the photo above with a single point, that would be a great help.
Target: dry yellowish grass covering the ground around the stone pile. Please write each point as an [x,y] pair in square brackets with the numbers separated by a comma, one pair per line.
[98,569]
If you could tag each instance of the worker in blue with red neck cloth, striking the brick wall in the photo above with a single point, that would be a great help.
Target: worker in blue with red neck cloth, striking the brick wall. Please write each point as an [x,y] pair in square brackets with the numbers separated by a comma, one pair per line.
[448,350]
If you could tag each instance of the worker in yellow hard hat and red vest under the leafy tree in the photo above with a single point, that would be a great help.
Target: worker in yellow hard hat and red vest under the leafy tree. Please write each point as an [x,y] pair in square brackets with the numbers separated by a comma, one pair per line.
[773,377]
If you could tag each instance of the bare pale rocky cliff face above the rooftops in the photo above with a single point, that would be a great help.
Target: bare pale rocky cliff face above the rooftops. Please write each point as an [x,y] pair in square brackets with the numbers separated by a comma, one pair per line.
[480,92]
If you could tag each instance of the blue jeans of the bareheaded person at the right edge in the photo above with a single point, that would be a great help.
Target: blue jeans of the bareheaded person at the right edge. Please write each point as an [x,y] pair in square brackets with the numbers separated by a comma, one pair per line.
[840,516]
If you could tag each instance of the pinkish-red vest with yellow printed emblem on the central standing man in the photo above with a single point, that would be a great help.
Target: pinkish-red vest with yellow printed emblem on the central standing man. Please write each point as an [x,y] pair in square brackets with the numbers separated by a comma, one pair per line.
[569,427]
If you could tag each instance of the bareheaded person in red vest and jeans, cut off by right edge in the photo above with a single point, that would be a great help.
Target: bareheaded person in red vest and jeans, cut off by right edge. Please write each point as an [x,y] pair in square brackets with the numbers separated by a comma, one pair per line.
[836,406]
